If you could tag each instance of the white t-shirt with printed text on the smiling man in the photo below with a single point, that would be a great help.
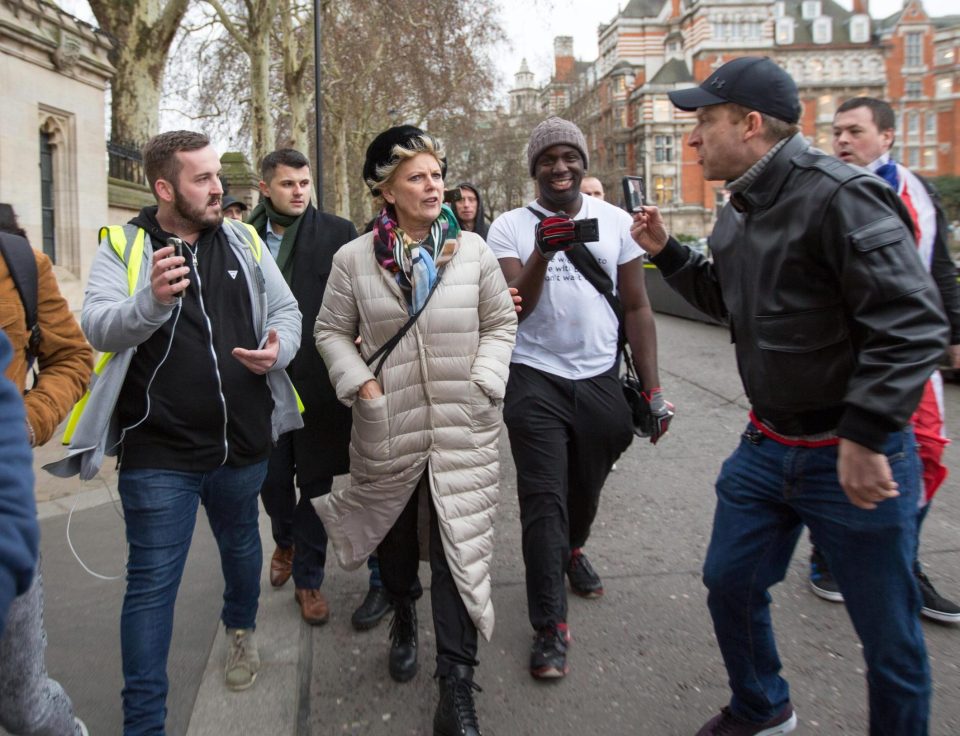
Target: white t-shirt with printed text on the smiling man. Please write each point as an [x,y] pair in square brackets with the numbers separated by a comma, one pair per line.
[572,332]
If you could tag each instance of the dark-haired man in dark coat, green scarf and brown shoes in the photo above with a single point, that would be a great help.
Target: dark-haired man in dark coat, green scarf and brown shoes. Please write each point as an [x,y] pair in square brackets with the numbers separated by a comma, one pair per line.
[303,241]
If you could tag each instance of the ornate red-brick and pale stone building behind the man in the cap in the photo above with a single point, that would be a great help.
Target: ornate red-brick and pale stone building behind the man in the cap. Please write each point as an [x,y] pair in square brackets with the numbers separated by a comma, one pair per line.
[654,46]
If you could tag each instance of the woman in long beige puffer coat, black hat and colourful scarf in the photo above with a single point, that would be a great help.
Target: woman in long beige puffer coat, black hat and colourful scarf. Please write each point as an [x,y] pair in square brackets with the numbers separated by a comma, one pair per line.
[426,428]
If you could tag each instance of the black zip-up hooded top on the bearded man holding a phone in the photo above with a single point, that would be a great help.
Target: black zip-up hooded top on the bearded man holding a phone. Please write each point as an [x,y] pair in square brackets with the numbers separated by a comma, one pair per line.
[187,402]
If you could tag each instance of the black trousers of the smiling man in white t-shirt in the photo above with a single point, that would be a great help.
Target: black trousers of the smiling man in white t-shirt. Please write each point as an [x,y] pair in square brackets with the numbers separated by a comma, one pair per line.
[565,436]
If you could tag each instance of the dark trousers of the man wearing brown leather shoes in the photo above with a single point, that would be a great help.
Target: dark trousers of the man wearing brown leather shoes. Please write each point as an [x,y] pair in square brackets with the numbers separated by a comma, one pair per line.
[295,523]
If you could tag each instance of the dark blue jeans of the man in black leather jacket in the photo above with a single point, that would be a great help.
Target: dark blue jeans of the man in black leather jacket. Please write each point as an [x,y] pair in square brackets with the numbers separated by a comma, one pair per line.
[765,493]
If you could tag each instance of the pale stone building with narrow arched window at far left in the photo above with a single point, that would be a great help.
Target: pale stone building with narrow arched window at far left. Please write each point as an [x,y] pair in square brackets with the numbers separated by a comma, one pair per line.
[53,74]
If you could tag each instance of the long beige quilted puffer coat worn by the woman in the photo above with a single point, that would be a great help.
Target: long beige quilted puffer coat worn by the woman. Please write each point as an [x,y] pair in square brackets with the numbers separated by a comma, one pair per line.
[441,410]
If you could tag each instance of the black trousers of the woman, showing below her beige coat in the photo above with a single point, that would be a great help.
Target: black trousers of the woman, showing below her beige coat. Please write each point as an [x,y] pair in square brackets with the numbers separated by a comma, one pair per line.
[399,555]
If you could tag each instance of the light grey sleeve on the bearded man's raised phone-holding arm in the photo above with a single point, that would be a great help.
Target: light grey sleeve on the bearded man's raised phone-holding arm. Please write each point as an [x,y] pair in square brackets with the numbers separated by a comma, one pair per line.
[112,318]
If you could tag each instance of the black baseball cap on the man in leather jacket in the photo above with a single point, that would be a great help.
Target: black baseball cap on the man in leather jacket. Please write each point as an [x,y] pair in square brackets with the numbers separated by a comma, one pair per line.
[756,82]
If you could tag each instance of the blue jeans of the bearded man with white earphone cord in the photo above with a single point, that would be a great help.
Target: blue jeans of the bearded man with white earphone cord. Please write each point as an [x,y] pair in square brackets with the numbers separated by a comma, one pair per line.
[160,509]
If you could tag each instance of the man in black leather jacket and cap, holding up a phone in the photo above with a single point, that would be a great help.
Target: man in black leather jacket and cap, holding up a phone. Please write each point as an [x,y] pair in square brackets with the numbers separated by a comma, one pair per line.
[837,327]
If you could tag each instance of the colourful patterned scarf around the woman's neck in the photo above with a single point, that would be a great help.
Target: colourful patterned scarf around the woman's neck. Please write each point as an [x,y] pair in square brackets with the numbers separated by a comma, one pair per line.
[415,265]
